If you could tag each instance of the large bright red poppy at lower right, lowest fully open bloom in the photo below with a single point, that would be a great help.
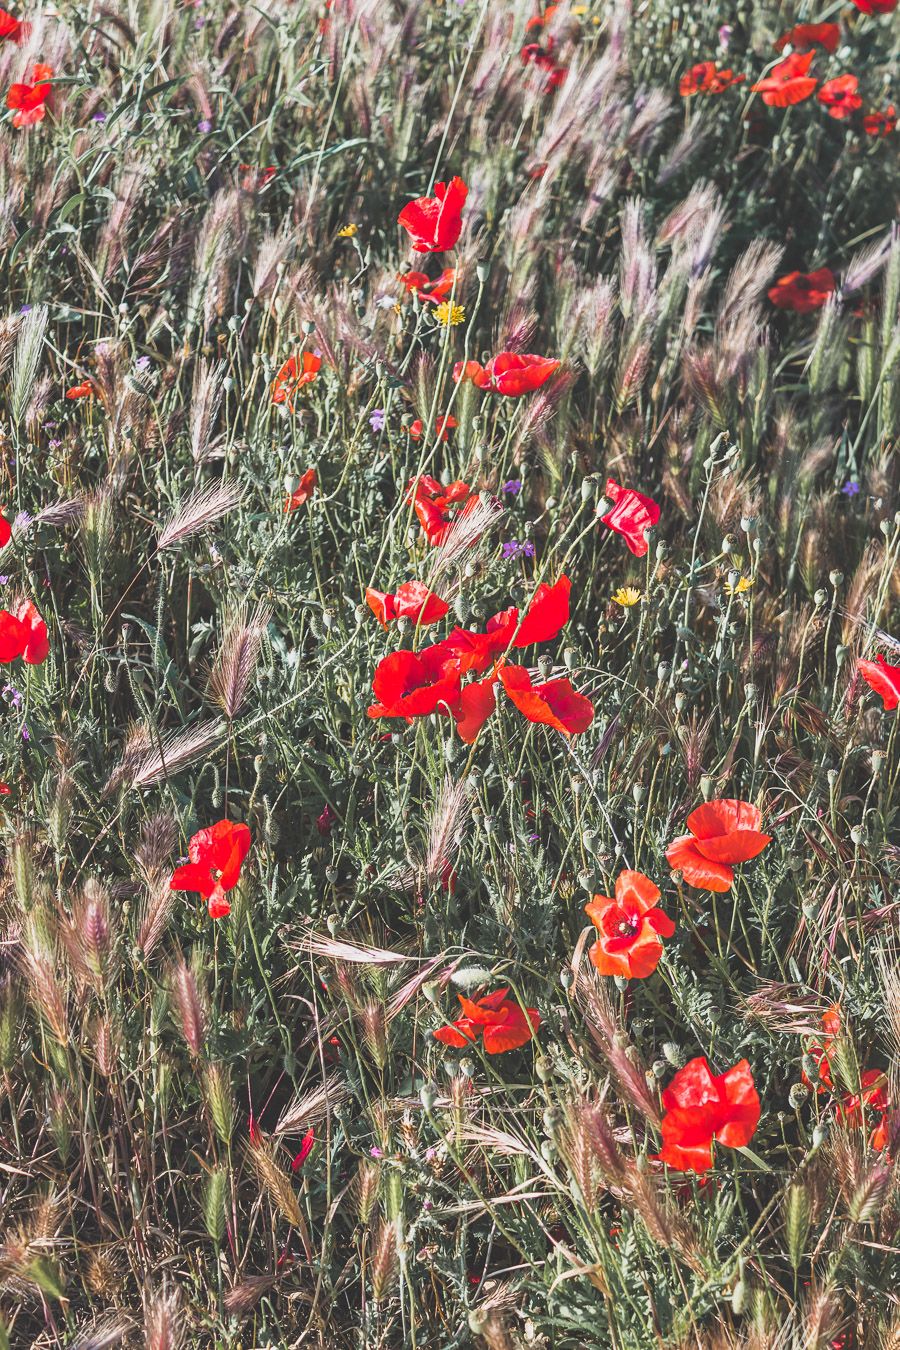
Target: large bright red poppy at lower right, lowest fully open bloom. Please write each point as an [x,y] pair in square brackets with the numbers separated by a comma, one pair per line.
[702,1109]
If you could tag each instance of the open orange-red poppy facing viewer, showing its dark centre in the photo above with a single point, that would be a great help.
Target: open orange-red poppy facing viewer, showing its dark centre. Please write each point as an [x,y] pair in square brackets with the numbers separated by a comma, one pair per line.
[631,928]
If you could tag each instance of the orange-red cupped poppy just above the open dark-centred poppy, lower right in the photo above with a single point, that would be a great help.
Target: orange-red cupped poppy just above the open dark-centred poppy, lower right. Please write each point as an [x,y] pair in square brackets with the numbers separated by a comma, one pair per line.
[723,834]
